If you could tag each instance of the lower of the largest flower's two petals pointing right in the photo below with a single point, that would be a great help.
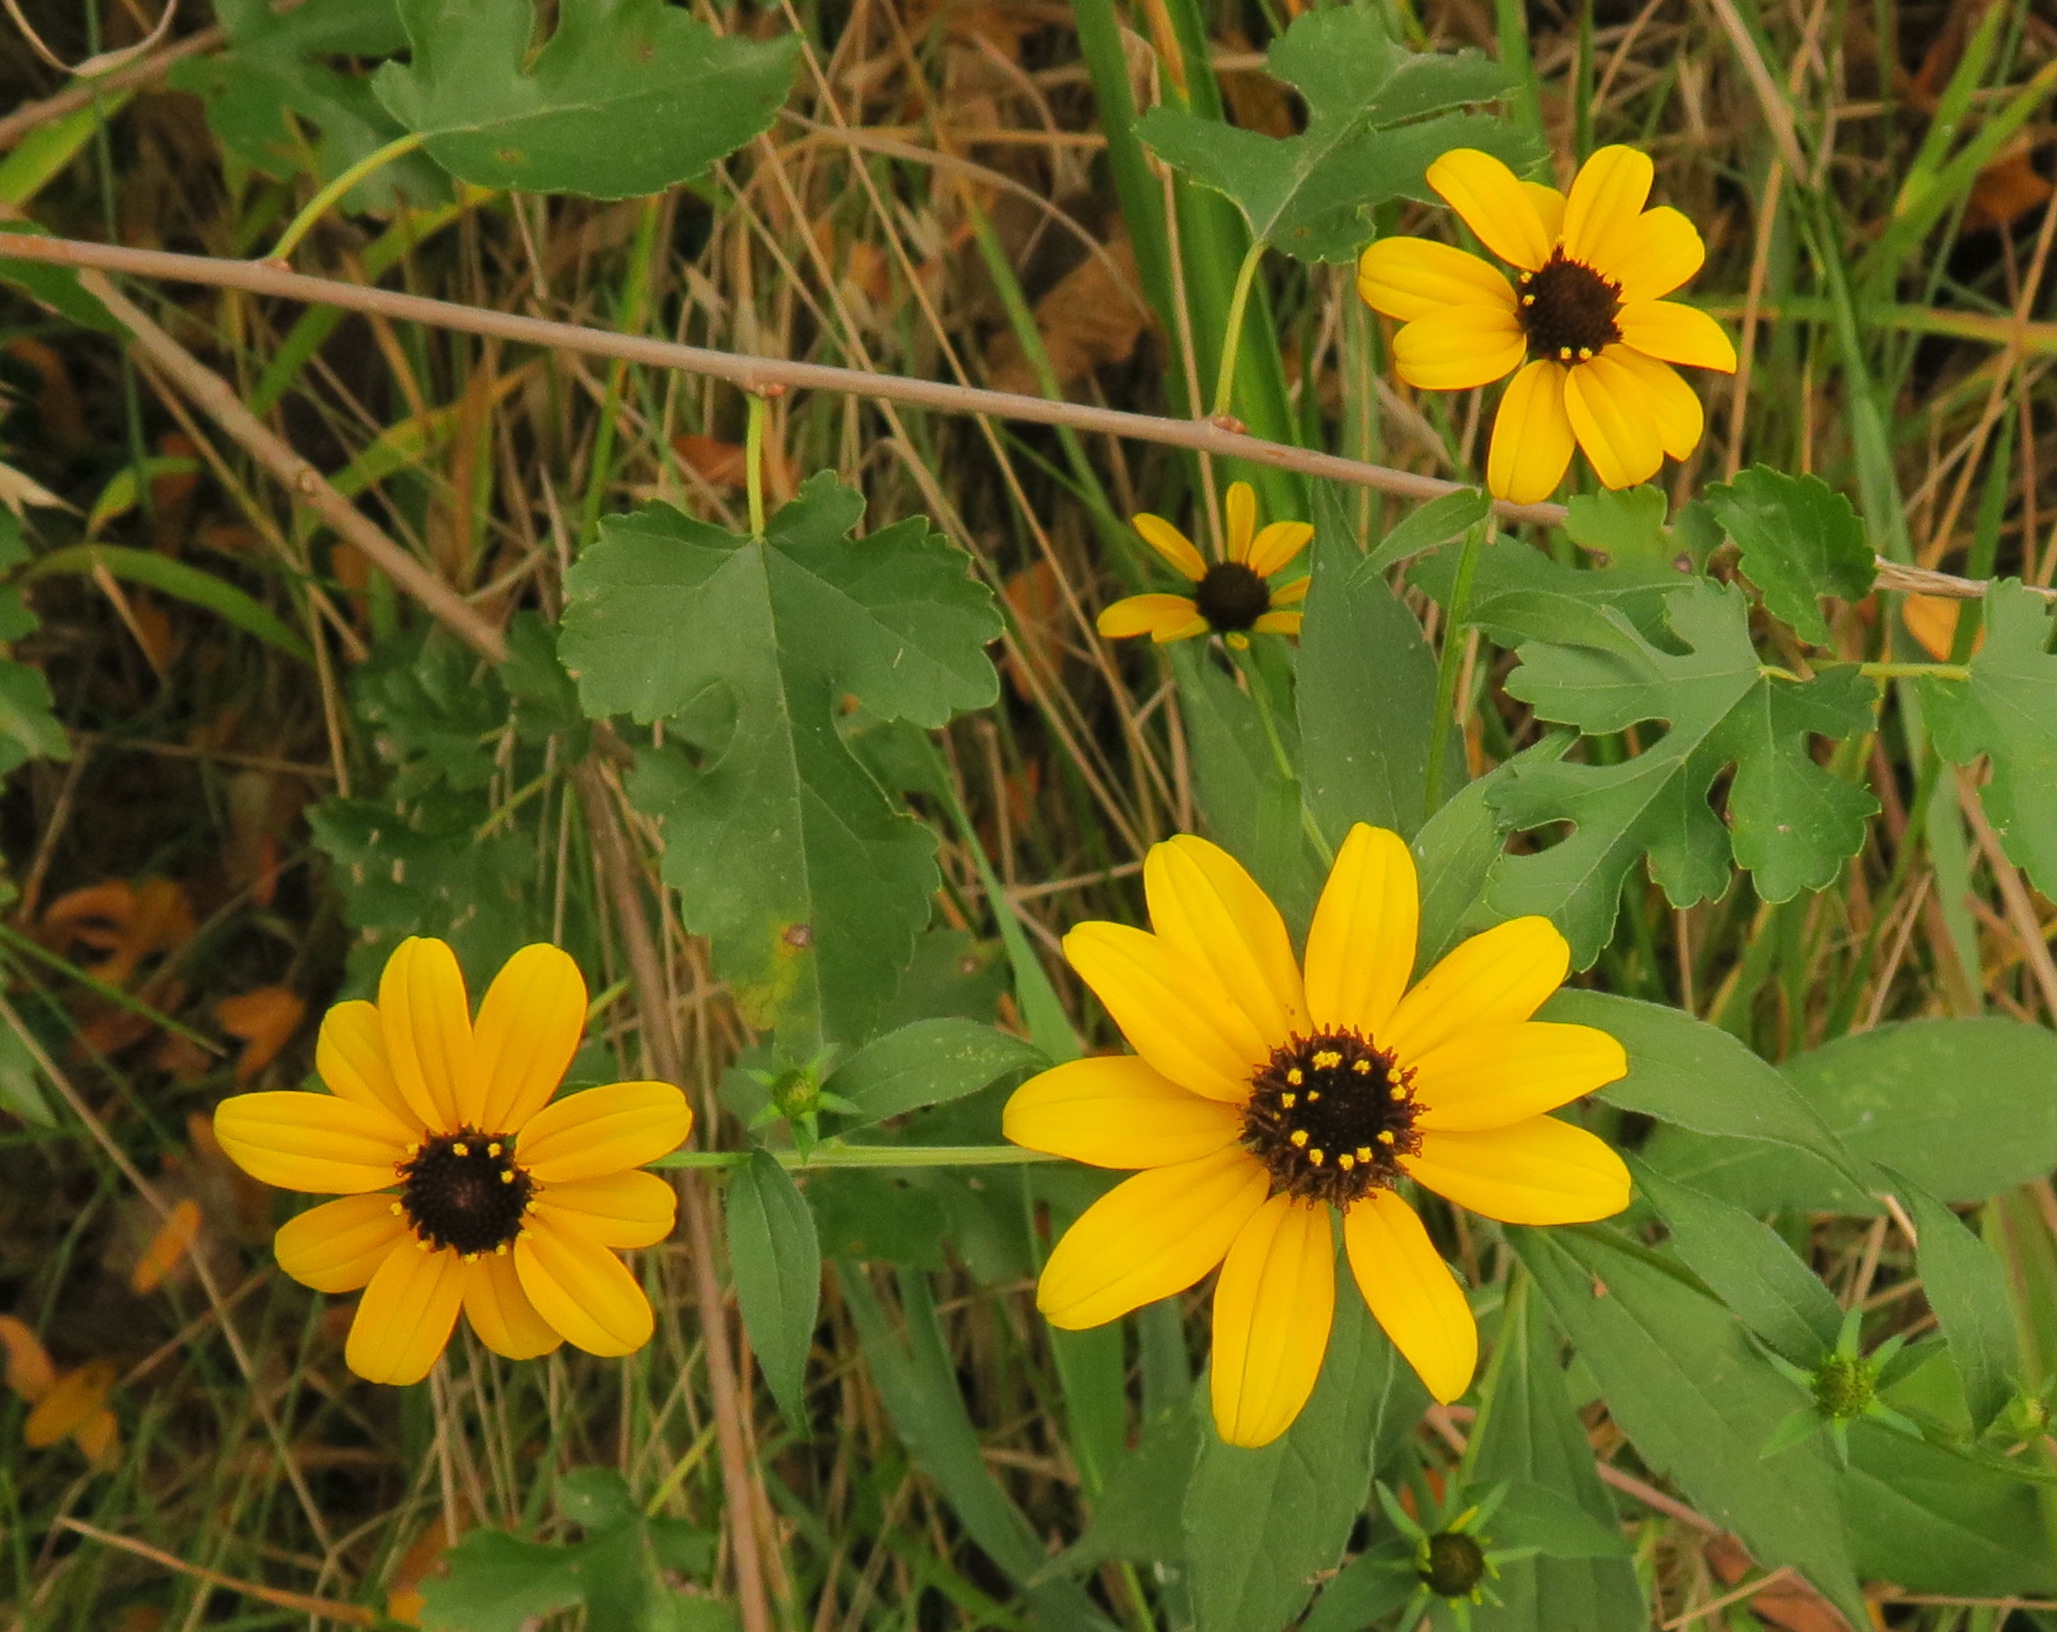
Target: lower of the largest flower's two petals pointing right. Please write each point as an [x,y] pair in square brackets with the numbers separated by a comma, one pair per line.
[1538,1172]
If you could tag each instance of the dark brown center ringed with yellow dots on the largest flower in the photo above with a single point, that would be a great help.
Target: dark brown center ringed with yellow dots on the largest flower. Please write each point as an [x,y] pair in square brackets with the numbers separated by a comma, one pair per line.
[1330,1116]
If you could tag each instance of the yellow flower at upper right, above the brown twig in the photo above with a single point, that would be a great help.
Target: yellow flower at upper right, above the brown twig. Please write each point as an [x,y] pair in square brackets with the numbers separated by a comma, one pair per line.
[1585,322]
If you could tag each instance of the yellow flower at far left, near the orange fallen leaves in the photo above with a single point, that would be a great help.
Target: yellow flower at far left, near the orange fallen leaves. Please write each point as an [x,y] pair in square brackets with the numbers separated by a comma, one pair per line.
[462,1184]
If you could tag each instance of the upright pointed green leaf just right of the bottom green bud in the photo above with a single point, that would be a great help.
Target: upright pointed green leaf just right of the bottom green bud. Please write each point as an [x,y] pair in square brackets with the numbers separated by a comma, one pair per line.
[1531,1433]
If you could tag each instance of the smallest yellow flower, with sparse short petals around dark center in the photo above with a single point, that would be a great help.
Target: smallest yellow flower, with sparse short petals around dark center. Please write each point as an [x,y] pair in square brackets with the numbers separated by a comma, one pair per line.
[1229,598]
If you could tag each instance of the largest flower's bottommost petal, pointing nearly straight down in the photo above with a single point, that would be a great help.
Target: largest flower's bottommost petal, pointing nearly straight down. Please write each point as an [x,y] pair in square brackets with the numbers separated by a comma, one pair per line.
[1272,1314]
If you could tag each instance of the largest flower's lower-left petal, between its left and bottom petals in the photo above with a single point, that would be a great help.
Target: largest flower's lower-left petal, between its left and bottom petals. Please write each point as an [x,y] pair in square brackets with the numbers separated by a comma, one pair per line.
[1149,1238]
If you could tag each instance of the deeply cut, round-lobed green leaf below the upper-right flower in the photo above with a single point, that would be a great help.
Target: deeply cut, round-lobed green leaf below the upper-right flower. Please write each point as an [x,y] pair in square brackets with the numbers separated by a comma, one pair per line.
[1791,822]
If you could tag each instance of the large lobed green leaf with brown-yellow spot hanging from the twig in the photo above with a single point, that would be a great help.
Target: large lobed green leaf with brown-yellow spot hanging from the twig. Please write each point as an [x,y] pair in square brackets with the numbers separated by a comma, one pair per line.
[785,851]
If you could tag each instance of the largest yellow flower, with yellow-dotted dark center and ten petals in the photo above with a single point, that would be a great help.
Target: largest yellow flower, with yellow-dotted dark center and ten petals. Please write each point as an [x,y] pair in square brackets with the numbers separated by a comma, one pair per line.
[1262,1102]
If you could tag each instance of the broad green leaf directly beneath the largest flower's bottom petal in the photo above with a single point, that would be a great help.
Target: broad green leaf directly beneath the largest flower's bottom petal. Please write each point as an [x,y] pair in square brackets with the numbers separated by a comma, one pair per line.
[1260,1526]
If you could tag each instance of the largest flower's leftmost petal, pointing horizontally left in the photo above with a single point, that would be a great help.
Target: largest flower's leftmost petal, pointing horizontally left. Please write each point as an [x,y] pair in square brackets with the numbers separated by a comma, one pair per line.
[1116,1110]
